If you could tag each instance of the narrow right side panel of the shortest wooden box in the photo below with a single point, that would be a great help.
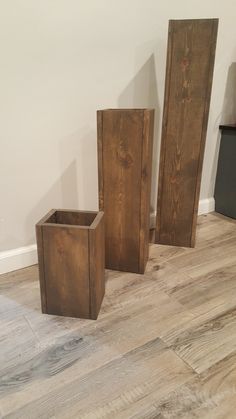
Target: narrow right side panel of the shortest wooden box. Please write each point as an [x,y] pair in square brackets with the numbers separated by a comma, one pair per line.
[97,267]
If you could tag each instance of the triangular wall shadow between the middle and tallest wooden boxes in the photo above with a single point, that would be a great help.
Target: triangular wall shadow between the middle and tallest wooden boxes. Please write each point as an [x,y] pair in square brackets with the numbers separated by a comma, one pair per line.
[142,92]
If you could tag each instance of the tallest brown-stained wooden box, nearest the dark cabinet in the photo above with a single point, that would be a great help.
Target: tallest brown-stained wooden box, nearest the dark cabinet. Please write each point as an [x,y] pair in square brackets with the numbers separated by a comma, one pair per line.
[189,72]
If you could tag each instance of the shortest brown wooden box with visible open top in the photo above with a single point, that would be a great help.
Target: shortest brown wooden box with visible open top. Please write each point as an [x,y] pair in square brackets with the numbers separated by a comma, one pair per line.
[71,262]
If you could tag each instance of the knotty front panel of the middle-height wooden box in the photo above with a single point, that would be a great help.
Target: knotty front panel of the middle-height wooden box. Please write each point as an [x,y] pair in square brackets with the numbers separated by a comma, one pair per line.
[120,196]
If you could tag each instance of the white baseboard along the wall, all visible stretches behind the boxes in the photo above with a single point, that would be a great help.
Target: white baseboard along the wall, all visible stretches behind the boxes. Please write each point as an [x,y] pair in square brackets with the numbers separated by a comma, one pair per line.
[19,258]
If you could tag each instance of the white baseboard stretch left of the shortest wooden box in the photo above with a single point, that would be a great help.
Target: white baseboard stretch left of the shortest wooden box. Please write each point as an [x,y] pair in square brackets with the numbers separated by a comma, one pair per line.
[11,260]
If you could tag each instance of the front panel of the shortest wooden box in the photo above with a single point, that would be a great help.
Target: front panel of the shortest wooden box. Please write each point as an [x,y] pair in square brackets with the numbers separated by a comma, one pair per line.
[66,268]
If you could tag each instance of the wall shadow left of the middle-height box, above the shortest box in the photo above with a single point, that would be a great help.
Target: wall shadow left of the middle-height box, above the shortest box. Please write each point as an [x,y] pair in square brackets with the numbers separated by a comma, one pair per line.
[77,185]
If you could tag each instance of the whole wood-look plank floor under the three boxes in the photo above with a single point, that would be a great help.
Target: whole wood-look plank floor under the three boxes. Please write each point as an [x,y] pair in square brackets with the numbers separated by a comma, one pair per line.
[164,345]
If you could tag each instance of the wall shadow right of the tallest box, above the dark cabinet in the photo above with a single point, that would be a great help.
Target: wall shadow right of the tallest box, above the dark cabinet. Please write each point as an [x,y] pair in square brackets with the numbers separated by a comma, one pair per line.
[228,115]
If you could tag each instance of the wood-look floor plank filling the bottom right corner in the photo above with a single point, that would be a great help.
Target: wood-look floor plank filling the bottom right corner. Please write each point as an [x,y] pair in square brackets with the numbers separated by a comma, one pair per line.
[209,395]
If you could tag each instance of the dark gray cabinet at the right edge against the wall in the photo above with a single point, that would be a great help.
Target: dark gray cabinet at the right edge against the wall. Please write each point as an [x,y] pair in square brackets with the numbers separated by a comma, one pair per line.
[225,188]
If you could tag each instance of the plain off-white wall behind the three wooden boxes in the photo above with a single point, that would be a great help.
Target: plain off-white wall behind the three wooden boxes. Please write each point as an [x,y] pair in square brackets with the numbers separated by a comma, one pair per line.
[60,61]
